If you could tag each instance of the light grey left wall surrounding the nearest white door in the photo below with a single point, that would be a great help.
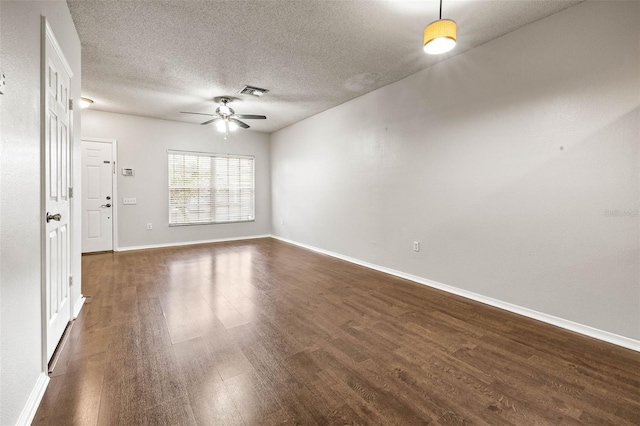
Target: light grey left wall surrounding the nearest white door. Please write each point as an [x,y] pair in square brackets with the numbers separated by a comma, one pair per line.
[21,353]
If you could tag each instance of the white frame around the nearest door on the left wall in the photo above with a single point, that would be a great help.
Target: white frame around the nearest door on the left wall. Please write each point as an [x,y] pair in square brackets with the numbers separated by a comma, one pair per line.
[47,33]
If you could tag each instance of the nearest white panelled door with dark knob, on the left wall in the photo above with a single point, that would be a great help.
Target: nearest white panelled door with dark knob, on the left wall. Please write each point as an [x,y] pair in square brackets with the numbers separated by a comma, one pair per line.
[57,250]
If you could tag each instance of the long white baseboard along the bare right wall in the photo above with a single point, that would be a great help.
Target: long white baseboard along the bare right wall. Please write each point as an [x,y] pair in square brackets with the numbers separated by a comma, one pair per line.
[586,330]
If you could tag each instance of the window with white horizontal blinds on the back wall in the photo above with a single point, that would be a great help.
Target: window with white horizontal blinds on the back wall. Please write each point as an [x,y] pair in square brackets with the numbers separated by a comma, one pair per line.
[210,188]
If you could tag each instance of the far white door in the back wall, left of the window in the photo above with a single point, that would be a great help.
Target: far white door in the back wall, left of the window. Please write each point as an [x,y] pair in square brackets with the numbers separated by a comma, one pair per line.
[97,196]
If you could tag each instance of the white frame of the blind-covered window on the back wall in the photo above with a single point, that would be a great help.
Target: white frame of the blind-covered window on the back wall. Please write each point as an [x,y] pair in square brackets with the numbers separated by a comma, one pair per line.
[250,217]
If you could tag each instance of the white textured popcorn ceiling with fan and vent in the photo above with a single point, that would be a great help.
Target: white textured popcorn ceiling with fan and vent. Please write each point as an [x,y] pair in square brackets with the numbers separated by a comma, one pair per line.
[157,58]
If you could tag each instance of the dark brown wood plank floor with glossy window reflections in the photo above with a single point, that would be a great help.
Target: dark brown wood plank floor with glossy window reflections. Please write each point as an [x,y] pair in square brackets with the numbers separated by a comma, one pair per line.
[262,332]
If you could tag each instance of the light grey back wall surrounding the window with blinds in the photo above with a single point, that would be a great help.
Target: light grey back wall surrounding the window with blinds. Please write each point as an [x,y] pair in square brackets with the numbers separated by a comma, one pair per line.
[142,146]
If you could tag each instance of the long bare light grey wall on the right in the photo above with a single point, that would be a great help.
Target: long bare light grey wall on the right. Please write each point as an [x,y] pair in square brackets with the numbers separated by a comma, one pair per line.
[502,161]
